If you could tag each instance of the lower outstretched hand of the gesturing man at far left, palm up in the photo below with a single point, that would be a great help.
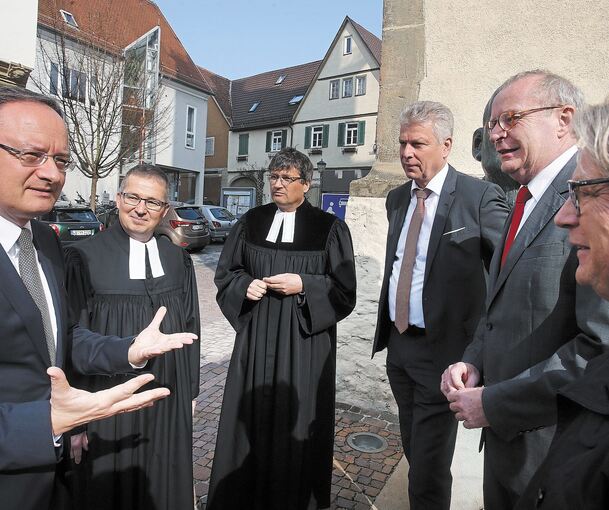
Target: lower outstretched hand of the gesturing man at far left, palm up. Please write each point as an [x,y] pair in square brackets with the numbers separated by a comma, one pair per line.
[71,407]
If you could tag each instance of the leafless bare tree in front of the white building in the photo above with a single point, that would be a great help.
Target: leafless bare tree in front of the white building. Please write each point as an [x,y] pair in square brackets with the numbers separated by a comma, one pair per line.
[110,96]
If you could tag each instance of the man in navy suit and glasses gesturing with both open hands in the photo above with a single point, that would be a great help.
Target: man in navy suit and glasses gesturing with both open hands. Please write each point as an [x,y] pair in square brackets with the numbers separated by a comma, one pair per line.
[37,405]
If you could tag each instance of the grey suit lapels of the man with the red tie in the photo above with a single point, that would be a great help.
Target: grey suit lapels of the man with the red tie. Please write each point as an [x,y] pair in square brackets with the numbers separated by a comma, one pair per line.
[543,213]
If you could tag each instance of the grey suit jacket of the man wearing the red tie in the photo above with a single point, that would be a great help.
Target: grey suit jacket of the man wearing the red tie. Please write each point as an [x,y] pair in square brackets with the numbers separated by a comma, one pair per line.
[539,330]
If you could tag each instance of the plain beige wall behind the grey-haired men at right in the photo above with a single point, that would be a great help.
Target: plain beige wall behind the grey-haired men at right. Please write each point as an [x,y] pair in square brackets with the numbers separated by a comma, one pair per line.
[472,46]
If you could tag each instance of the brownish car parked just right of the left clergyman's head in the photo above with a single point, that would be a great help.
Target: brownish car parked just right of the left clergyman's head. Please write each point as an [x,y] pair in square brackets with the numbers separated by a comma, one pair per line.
[185,226]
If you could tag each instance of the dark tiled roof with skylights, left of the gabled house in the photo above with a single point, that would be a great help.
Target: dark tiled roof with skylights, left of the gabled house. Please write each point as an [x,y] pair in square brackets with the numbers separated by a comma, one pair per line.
[274,108]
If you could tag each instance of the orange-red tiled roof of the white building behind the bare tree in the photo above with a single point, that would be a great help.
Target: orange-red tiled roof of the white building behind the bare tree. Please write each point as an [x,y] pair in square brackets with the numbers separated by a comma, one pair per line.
[118,23]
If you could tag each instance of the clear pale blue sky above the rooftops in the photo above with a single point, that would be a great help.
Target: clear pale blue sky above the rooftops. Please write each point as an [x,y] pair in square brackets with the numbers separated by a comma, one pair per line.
[238,38]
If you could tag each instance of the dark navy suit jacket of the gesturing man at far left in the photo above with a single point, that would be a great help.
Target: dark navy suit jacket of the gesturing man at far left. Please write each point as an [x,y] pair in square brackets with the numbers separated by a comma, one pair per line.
[27,456]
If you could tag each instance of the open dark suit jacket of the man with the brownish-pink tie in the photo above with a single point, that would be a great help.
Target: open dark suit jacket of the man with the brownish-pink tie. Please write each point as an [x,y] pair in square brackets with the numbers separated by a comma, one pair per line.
[454,288]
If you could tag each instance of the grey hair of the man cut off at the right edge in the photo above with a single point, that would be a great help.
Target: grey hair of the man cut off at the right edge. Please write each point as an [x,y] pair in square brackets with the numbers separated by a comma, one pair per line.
[591,126]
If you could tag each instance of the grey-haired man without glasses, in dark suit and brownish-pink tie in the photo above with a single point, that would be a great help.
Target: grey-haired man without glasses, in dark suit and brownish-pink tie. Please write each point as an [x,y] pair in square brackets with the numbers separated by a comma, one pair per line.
[443,228]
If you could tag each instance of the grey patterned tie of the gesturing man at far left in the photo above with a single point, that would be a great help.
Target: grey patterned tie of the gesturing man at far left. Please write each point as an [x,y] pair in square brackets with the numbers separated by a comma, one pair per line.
[28,270]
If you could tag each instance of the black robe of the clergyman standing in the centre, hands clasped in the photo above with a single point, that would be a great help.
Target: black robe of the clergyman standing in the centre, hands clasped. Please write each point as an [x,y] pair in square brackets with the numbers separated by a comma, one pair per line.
[276,432]
